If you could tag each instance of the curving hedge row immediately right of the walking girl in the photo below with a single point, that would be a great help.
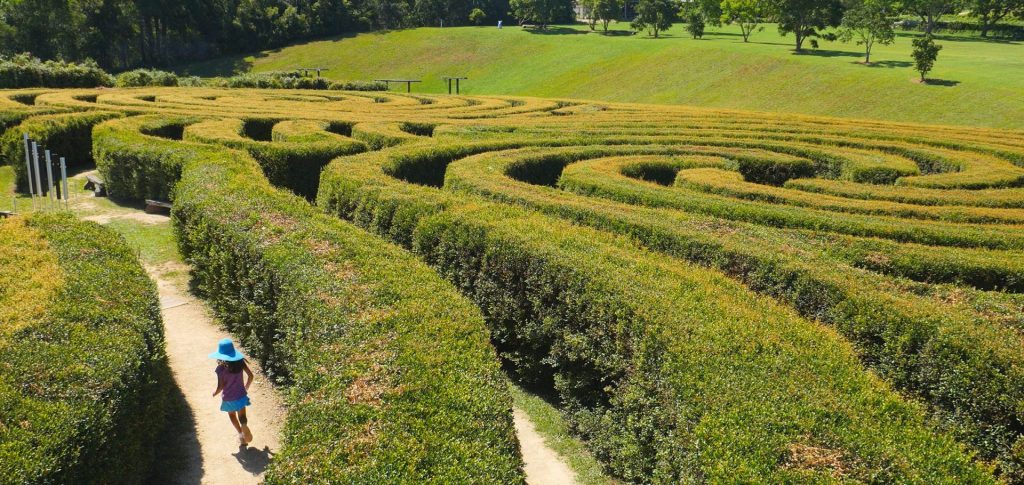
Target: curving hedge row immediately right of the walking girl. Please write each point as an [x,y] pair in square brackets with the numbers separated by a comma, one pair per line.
[393,377]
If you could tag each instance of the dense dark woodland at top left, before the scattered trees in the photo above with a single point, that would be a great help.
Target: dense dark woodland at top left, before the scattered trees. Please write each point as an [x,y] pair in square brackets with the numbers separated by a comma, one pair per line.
[122,34]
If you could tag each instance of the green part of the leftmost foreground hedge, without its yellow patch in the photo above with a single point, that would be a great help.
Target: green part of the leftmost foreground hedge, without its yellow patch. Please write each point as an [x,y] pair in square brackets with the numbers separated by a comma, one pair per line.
[84,392]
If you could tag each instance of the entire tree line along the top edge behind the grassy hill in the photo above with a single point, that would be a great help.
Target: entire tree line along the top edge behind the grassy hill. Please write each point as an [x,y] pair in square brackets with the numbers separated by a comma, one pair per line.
[123,34]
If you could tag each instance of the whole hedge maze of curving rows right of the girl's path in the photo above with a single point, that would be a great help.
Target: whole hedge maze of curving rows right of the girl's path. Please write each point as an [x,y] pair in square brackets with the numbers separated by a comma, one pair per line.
[712,295]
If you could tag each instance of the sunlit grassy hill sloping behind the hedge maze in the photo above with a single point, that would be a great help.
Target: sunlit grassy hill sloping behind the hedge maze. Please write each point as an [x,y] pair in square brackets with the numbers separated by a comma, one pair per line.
[982,82]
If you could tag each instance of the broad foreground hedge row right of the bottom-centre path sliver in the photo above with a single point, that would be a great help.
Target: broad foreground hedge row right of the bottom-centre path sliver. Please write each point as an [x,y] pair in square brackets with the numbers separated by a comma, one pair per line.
[673,375]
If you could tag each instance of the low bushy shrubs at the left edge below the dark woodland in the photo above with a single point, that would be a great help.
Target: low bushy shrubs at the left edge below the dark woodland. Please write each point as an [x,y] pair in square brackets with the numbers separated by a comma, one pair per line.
[23,71]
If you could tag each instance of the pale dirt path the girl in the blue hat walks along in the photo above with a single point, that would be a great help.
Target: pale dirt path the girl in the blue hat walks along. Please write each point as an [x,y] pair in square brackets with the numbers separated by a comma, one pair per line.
[201,447]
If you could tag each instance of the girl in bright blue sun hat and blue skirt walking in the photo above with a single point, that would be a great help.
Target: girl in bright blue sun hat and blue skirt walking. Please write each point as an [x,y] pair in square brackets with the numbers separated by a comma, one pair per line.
[231,366]
